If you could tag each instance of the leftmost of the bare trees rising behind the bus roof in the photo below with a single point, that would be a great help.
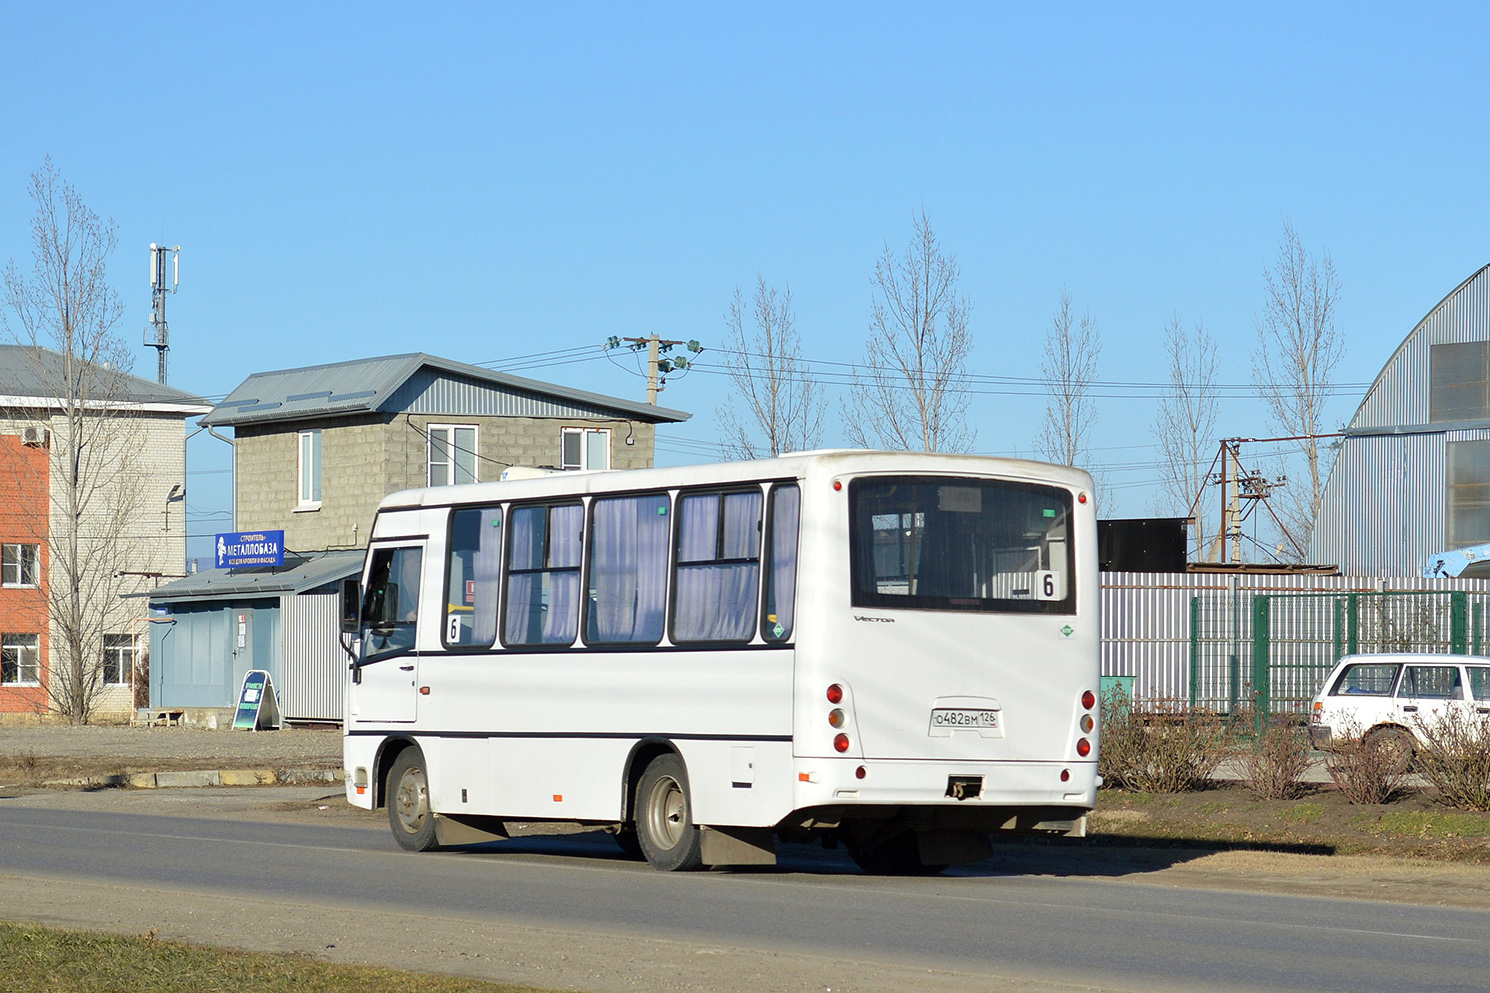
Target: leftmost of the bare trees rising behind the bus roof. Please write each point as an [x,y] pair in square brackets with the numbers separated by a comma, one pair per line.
[783,405]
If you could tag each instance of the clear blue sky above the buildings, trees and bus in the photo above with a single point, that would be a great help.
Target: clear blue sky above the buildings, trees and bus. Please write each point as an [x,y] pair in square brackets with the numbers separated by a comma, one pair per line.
[486,181]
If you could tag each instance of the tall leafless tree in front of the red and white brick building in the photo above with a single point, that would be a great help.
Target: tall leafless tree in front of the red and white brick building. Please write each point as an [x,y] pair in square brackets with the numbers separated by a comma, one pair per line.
[65,315]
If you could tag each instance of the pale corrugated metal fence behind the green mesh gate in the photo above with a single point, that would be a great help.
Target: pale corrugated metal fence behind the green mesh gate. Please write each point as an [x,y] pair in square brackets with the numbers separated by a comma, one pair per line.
[1147,628]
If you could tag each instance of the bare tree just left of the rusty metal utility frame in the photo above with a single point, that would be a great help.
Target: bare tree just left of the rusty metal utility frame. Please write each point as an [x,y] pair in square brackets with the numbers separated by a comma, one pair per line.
[1185,424]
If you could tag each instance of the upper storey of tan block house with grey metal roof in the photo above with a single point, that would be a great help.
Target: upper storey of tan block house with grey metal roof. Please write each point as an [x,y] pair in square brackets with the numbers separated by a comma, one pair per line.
[318,448]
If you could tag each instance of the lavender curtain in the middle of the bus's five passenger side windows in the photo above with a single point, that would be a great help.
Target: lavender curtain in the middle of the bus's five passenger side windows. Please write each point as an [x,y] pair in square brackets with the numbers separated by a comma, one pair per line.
[628,570]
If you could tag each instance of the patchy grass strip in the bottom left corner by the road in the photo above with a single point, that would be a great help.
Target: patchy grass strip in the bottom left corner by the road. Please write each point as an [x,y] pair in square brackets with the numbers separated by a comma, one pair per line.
[54,961]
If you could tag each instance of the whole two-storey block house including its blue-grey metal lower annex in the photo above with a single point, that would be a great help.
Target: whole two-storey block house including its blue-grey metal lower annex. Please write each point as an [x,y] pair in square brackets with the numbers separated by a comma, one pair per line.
[315,453]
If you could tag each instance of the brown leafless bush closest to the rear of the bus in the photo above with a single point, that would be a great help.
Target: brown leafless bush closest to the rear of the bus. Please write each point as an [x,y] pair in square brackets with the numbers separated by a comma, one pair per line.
[1158,748]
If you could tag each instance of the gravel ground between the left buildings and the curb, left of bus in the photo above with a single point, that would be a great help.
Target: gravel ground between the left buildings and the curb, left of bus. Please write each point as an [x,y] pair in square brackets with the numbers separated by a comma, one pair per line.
[65,751]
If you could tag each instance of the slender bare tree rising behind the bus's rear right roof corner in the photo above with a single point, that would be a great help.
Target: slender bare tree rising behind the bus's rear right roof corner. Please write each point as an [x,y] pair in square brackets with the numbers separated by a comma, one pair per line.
[1072,347]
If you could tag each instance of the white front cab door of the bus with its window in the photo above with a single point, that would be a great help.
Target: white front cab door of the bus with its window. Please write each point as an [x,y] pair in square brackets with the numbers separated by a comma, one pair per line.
[388,669]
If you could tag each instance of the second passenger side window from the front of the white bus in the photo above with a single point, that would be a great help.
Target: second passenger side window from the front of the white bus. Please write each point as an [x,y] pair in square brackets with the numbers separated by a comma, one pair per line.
[543,576]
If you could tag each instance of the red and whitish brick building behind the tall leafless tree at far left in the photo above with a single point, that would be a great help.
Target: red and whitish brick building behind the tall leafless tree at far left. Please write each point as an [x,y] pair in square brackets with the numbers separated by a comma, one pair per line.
[133,530]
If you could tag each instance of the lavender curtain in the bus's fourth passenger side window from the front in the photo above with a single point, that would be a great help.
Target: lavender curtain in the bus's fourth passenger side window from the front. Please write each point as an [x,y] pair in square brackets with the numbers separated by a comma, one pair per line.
[719,567]
